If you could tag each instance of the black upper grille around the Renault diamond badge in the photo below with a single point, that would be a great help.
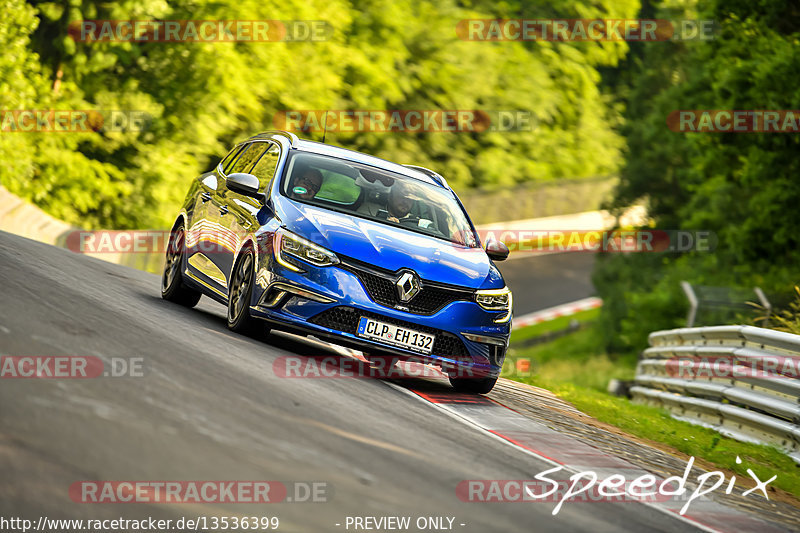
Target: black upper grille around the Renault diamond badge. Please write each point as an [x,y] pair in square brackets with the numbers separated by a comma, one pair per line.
[380,285]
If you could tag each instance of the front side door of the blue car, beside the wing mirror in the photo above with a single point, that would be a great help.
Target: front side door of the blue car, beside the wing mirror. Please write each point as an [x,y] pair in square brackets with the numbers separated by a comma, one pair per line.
[234,209]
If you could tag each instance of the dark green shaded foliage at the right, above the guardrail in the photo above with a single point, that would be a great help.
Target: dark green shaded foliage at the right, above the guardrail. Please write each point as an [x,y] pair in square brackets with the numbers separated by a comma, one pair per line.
[742,186]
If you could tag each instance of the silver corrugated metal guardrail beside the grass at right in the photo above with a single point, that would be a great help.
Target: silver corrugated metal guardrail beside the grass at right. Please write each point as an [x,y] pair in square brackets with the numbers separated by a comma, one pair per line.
[742,381]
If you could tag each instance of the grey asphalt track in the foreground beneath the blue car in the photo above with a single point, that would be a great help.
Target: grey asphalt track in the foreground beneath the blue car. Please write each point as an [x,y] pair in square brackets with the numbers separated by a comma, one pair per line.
[210,407]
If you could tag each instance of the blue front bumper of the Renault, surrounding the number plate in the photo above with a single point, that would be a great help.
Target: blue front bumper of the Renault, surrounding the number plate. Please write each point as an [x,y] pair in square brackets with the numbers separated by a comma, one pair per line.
[327,302]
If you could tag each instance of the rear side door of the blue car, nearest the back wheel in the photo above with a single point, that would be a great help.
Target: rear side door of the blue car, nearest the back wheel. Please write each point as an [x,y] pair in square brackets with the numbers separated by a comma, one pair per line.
[203,232]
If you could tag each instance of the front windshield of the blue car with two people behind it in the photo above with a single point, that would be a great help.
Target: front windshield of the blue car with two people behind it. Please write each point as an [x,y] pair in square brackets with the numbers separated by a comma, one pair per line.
[377,194]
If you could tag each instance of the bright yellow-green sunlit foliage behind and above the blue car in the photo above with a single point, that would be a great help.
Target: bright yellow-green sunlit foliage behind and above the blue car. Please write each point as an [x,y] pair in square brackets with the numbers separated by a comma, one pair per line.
[201,97]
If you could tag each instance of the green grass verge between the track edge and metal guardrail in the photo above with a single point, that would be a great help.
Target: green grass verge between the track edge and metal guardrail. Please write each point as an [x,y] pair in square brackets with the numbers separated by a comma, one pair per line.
[576,369]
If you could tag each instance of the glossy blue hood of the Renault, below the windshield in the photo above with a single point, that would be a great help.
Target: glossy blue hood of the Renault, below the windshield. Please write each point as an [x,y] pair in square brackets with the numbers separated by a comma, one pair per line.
[391,247]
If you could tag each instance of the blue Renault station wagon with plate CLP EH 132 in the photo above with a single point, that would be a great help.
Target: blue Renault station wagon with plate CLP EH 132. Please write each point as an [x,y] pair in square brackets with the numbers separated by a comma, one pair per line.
[312,239]
